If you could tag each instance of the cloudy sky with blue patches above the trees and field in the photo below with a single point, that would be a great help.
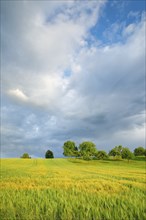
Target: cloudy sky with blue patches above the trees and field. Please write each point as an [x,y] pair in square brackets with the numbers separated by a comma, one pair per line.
[72,70]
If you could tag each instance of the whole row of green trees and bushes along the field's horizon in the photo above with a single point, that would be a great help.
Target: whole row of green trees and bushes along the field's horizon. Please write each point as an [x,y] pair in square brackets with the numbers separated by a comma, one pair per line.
[87,151]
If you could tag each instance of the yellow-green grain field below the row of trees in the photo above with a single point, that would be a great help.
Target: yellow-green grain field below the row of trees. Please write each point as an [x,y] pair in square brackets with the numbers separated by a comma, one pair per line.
[72,189]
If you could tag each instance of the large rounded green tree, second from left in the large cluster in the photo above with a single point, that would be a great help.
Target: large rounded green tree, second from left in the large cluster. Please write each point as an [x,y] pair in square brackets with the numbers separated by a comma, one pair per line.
[87,150]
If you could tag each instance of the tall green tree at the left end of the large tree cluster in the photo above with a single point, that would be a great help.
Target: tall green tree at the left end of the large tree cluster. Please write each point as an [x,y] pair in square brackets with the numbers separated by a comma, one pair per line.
[70,149]
